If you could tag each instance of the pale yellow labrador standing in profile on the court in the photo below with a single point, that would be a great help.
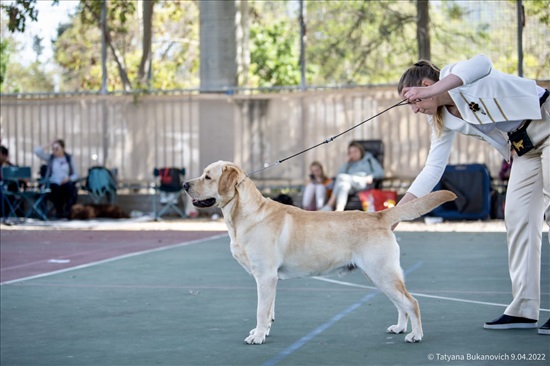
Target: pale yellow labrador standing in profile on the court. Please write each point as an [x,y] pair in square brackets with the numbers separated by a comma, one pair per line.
[273,241]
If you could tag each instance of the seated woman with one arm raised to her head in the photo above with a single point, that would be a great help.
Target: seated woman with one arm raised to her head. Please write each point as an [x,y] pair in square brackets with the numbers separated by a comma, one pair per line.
[61,174]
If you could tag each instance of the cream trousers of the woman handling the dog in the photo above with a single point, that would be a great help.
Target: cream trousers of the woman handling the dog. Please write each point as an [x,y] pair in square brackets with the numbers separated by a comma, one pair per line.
[527,202]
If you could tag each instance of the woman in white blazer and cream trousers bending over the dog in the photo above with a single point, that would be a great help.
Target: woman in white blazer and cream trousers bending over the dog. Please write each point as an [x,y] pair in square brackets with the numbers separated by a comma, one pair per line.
[508,112]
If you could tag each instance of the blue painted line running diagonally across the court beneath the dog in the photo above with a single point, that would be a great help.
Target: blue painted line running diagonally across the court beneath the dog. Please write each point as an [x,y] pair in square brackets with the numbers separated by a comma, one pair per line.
[320,329]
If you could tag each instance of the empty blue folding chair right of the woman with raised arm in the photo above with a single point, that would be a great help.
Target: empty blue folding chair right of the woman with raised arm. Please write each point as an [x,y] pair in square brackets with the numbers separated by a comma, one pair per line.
[100,184]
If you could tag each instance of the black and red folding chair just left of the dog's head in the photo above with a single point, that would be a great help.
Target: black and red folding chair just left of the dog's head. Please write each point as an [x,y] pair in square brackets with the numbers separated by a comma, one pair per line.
[169,181]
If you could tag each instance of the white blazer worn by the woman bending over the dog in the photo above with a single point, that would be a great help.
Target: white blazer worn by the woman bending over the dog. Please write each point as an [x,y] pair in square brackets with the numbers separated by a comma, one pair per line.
[486,96]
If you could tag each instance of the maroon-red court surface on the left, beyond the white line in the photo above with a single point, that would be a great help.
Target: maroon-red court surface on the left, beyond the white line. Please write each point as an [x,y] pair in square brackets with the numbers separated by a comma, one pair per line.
[26,253]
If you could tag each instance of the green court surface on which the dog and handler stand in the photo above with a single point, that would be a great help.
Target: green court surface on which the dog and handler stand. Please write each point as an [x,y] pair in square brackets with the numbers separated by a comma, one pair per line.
[194,305]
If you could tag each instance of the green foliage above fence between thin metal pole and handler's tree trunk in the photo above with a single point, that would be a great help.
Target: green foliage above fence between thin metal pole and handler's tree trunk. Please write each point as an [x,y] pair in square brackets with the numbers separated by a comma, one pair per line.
[359,42]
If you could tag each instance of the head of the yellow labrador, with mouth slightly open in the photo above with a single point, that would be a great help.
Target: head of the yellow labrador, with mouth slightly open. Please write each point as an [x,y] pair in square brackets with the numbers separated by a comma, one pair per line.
[216,186]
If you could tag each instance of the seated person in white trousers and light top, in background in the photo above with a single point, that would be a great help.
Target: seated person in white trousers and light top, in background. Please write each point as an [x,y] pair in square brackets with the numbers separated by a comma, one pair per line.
[355,175]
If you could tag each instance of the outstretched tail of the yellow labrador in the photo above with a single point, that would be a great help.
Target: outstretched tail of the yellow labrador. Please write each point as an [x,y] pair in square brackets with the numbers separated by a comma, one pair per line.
[416,208]
